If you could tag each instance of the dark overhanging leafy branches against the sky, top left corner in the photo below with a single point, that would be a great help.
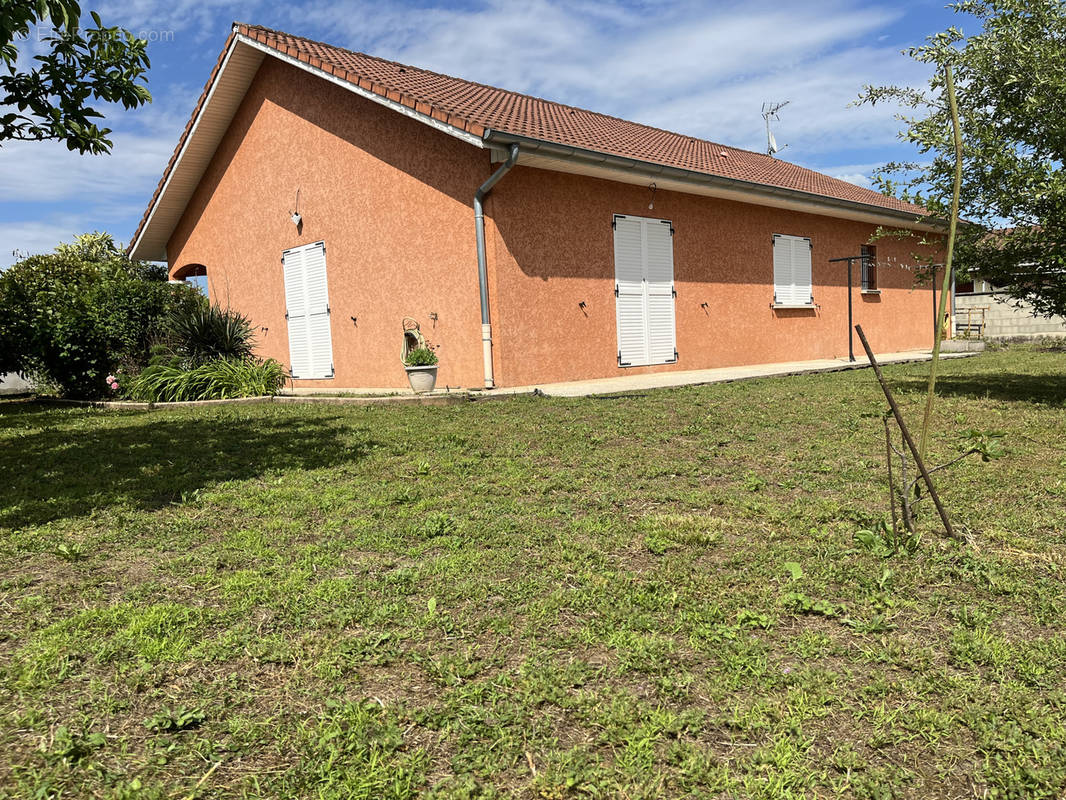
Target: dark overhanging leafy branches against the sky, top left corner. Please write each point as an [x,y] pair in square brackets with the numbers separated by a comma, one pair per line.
[51,101]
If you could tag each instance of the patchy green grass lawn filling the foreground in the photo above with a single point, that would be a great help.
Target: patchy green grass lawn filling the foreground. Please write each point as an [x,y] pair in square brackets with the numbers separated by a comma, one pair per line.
[655,596]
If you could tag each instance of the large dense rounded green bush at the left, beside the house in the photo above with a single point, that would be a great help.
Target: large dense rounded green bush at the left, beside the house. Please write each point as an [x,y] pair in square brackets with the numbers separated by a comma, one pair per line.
[72,317]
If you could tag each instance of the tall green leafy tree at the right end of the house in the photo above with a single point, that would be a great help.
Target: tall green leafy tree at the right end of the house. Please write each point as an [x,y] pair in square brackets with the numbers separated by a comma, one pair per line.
[1011,85]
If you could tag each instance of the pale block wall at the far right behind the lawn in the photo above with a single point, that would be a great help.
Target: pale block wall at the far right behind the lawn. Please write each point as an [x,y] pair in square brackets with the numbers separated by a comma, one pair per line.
[981,310]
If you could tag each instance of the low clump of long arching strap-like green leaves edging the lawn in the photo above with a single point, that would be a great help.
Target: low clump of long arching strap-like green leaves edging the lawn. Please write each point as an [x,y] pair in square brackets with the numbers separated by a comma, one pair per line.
[171,381]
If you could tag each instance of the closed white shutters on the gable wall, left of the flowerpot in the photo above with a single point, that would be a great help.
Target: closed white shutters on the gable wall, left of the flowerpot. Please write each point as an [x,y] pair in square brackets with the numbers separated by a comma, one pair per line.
[308,311]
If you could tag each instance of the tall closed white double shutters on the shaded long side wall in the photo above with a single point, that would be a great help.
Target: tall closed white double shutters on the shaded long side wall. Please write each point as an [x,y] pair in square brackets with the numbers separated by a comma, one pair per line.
[644,291]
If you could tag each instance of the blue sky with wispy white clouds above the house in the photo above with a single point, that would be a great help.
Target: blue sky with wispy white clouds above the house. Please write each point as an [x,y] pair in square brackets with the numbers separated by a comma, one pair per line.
[700,69]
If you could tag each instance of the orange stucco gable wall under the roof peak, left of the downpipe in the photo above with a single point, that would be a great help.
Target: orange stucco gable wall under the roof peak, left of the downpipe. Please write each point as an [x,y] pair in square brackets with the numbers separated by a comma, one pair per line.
[391,198]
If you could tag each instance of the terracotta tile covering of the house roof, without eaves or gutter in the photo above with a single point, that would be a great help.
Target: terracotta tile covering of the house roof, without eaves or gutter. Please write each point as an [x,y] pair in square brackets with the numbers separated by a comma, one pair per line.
[475,107]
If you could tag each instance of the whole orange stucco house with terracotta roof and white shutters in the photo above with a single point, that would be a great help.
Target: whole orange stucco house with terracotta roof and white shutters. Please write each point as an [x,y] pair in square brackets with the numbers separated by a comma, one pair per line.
[534,242]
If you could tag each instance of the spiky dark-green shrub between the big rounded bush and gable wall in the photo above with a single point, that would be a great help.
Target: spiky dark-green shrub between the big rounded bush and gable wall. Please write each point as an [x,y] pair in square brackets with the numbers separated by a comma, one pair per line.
[207,332]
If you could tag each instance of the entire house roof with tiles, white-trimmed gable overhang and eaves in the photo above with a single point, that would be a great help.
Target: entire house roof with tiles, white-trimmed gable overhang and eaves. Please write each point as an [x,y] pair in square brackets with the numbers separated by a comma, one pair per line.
[490,117]
